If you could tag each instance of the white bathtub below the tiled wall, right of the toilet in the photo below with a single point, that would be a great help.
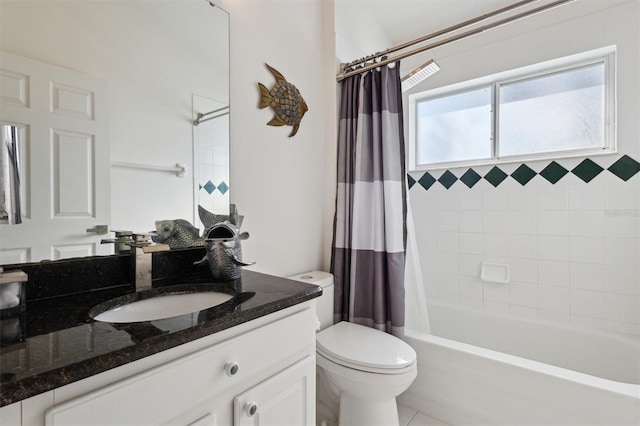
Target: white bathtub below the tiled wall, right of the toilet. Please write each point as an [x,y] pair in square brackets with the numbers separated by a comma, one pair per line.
[478,368]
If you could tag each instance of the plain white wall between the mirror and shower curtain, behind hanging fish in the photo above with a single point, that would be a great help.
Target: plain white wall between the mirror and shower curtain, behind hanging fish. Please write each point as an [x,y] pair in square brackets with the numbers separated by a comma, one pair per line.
[283,185]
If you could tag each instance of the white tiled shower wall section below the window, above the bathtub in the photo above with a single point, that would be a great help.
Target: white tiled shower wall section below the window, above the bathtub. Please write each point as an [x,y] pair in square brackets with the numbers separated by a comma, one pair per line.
[573,247]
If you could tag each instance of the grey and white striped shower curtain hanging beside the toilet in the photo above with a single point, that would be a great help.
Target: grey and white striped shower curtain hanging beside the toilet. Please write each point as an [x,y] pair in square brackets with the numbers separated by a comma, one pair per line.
[368,252]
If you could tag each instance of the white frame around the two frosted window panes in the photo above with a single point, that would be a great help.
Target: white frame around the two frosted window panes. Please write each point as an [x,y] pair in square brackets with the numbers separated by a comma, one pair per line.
[606,56]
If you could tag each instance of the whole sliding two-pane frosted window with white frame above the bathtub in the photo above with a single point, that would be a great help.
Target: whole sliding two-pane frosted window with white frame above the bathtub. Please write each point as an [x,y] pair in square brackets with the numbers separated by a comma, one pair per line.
[560,108]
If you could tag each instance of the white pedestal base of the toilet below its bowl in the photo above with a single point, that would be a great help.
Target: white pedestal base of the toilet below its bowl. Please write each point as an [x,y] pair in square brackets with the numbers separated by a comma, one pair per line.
[359,412]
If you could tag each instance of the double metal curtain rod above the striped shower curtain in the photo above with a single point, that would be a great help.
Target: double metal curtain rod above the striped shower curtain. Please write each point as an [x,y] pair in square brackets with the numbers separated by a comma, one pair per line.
[344,74]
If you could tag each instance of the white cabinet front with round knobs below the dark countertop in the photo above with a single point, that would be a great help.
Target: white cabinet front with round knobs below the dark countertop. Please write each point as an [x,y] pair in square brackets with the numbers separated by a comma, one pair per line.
[264,373]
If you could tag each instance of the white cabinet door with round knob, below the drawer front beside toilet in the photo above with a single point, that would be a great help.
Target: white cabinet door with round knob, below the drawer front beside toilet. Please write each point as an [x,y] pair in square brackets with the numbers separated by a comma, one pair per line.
[286,399]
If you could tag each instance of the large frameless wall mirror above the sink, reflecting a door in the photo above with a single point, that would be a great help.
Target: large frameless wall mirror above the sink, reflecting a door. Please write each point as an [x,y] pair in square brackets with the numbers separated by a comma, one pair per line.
[103,96]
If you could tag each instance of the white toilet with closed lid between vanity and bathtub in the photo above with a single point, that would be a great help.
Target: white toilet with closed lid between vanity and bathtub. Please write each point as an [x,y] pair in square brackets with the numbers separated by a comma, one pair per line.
[366,368]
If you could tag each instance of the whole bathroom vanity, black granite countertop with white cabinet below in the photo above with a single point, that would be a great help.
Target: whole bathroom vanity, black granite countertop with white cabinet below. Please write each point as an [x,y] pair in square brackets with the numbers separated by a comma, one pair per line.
[246,364]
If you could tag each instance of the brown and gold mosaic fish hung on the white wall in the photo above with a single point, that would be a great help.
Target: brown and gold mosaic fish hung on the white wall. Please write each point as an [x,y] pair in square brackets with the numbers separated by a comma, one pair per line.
[286,101]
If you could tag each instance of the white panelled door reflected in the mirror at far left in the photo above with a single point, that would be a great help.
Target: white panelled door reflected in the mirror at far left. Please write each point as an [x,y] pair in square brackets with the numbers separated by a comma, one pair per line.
[63,121]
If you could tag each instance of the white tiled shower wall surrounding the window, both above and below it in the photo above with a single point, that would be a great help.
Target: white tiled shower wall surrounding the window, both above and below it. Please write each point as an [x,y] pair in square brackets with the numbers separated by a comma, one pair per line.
[571,239]
